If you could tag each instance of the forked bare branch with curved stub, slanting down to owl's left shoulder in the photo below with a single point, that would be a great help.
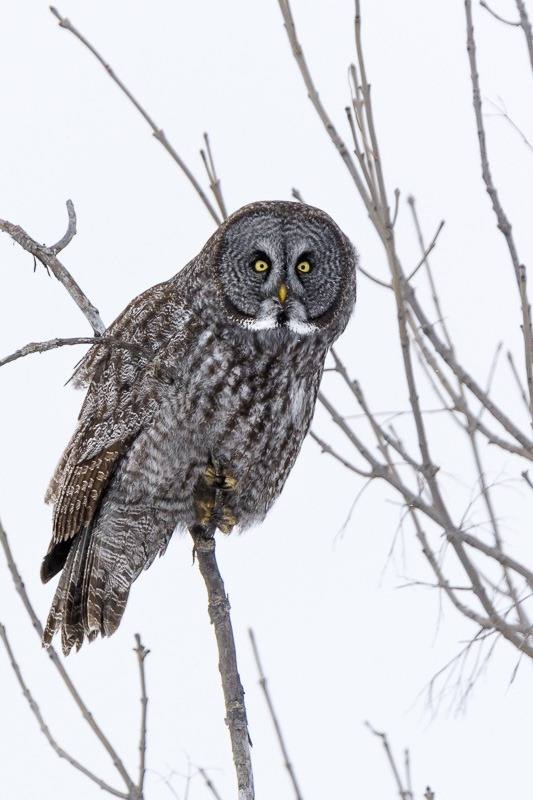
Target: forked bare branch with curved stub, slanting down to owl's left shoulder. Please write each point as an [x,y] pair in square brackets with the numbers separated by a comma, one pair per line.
[47,257]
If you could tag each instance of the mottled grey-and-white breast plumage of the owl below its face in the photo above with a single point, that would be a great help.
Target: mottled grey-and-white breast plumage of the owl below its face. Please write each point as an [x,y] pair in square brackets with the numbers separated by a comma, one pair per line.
[250,409]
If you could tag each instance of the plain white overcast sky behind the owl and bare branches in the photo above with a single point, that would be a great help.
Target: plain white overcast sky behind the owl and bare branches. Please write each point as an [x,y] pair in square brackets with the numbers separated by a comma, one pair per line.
[340,641]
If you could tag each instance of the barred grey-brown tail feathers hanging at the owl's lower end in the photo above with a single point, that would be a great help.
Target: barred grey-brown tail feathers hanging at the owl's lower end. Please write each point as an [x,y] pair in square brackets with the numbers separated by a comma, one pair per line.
[86,602]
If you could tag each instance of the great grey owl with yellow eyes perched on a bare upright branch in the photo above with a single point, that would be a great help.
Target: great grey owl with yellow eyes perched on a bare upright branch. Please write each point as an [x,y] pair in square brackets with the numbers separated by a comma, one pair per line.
[210,395]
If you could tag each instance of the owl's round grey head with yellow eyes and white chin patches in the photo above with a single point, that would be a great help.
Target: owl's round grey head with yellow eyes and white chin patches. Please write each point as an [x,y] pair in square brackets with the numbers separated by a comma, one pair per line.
[284,266]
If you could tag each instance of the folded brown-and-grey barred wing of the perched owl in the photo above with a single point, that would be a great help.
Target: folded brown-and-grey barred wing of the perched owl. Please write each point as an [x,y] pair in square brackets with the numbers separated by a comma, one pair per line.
[126,383]
